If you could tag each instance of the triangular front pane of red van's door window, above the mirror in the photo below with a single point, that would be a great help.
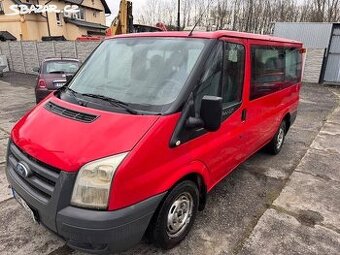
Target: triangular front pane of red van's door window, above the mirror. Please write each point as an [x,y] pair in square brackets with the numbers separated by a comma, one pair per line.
[210,81]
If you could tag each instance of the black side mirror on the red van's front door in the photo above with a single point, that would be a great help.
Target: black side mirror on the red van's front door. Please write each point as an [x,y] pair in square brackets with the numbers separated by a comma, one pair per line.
[211,112]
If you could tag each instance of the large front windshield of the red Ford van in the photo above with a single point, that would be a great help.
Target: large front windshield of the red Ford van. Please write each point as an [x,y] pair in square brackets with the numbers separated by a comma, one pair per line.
[146,73]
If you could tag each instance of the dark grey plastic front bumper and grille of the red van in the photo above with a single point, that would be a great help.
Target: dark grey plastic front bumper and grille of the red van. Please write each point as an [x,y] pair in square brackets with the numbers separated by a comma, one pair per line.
[87,230]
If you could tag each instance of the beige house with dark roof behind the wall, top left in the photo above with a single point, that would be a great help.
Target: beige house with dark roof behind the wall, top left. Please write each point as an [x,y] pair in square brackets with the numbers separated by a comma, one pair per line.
[90,20]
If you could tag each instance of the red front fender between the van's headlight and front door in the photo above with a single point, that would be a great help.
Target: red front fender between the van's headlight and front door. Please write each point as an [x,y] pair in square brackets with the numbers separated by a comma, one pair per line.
[153,167]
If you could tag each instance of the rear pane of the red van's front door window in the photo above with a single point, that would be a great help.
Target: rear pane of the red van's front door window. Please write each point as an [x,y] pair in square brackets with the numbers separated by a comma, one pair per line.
[232,85]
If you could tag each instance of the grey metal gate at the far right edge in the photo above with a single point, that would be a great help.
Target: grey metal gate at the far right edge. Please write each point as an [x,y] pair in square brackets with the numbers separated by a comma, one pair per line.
[332,72]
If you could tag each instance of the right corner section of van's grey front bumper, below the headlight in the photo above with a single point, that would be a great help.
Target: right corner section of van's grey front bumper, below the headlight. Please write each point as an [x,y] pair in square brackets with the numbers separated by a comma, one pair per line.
[105,232]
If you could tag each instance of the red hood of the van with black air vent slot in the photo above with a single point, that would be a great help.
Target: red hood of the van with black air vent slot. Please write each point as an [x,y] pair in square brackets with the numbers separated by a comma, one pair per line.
[68,144]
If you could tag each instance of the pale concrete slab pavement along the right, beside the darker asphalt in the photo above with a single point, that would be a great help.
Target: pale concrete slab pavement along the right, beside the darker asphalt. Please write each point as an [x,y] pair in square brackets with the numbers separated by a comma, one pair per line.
[305,218]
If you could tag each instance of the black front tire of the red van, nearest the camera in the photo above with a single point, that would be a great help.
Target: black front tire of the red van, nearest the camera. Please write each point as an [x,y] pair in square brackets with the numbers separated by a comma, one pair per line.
[159,232]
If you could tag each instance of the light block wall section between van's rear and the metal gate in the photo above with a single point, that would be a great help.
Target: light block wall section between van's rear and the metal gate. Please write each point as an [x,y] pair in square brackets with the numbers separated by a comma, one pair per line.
[313,65]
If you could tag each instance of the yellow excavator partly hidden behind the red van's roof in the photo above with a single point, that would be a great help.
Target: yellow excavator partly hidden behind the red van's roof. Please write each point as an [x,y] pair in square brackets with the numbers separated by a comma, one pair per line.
[123,23]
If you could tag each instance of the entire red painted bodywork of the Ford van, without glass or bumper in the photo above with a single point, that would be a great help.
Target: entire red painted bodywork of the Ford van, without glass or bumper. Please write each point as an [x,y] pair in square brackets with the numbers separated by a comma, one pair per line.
[152,167]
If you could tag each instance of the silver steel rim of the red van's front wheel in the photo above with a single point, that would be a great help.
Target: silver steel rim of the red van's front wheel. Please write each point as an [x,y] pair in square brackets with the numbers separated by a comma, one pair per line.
[179,215]
